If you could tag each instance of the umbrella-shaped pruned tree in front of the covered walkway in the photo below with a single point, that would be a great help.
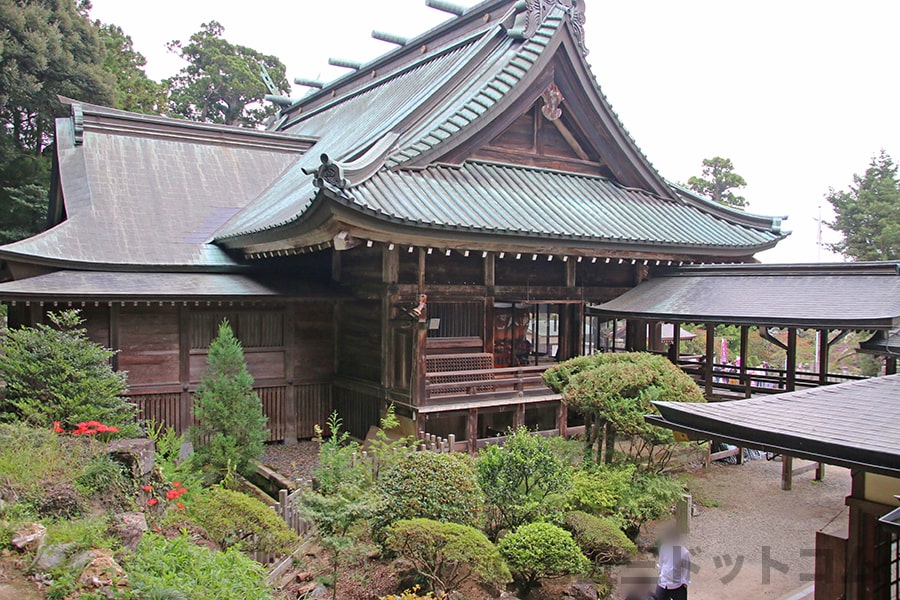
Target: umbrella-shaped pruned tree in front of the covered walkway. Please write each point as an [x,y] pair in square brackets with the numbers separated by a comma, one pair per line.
[614,391]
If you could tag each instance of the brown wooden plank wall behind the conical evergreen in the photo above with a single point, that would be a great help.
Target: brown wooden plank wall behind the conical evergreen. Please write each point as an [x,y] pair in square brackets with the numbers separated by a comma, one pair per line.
[289,350]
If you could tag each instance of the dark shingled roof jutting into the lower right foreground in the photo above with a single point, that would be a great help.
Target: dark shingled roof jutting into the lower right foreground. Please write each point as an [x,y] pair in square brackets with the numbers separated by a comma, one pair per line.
[855,424]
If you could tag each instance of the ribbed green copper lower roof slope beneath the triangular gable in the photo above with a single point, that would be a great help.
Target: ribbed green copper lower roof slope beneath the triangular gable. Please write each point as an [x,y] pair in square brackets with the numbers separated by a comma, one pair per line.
[505,199]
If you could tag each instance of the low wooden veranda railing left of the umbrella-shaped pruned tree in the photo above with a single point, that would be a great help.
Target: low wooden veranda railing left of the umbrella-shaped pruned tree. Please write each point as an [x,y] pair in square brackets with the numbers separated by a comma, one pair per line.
[448,386]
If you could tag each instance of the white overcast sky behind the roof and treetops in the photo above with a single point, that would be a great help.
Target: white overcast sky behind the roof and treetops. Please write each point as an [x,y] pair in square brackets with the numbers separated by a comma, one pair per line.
[800,94]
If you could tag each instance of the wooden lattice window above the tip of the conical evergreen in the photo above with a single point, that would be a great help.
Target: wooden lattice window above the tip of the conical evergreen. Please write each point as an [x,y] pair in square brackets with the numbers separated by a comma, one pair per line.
[255,329]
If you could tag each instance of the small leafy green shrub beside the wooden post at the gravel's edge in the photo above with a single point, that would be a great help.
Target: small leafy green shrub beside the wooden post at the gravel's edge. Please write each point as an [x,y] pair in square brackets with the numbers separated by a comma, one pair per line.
[650,497]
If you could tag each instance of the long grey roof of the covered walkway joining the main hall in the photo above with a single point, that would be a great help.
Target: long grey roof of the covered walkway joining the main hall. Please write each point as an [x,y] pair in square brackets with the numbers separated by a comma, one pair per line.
[837,296]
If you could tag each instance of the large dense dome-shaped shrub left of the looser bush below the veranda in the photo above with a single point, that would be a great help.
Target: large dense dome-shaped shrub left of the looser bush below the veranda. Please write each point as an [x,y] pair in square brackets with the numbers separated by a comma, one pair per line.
[430,485]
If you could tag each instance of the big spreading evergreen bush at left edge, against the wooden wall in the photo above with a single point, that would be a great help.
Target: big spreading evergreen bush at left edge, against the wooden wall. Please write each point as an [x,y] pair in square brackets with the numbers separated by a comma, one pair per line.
[58,374]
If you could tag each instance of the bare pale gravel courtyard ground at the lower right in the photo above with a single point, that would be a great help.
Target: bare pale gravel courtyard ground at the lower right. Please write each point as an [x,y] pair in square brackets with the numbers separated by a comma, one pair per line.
[747,528]
